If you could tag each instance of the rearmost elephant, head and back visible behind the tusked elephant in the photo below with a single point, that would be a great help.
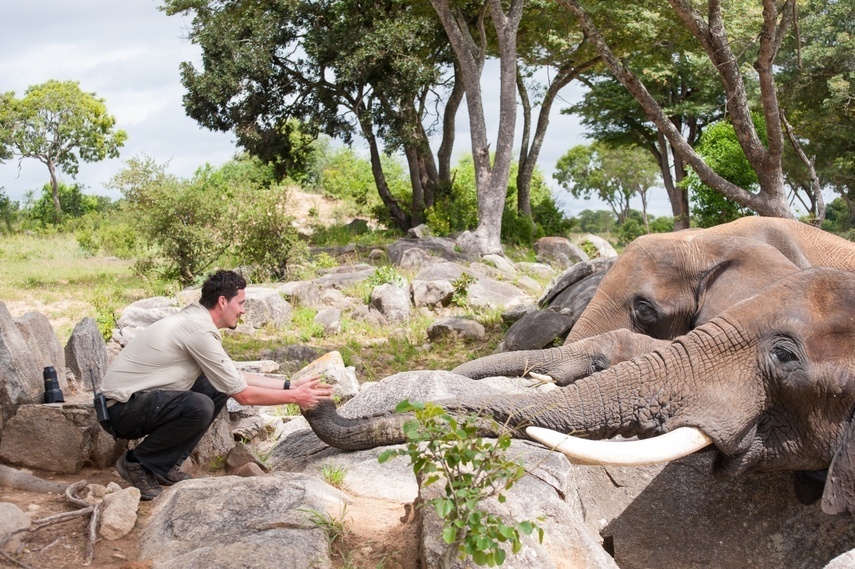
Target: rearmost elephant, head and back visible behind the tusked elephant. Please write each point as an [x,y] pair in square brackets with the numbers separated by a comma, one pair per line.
[665,284]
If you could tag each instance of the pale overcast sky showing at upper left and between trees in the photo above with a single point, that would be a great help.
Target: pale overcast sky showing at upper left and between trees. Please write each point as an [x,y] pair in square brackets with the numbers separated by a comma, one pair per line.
[128,52]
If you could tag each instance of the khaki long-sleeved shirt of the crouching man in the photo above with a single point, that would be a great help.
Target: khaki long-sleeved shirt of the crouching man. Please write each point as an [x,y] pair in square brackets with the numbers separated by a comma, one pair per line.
[170,355]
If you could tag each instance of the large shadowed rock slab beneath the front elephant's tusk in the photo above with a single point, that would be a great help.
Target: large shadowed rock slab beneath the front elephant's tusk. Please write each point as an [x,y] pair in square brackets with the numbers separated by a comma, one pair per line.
[678,515]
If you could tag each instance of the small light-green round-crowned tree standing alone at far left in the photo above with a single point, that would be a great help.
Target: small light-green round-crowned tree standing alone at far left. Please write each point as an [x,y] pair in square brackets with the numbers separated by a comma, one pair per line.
[58,124]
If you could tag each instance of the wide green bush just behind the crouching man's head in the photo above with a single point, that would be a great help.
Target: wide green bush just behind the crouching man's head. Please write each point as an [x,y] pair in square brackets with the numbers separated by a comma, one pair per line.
[190,225]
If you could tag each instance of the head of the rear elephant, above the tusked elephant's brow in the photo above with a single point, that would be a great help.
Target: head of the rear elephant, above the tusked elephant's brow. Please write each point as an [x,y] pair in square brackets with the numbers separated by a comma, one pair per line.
[663,285]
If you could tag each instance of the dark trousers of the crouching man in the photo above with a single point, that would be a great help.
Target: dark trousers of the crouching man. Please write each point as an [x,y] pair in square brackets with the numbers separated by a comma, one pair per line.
[172,422]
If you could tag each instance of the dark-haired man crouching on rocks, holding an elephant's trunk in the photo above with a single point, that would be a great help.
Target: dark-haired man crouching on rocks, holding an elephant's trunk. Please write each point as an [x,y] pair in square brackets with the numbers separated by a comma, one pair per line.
[171,381]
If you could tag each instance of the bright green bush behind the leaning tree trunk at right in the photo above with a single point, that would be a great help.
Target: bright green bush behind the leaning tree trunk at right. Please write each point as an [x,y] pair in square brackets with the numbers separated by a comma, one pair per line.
[720,149]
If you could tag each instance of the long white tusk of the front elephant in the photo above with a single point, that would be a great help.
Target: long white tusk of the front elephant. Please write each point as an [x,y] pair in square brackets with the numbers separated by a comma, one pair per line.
[672,445]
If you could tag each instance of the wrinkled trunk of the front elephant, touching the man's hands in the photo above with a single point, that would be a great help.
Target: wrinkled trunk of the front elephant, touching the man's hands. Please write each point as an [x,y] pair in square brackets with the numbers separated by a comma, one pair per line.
[647,396]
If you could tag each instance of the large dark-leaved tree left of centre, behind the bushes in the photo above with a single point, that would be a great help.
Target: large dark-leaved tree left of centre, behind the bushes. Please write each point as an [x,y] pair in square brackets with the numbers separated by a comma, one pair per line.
[342,68]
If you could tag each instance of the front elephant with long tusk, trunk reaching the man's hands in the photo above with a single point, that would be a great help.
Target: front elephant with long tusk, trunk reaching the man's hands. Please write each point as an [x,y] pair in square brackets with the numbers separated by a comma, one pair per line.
[770,381]
